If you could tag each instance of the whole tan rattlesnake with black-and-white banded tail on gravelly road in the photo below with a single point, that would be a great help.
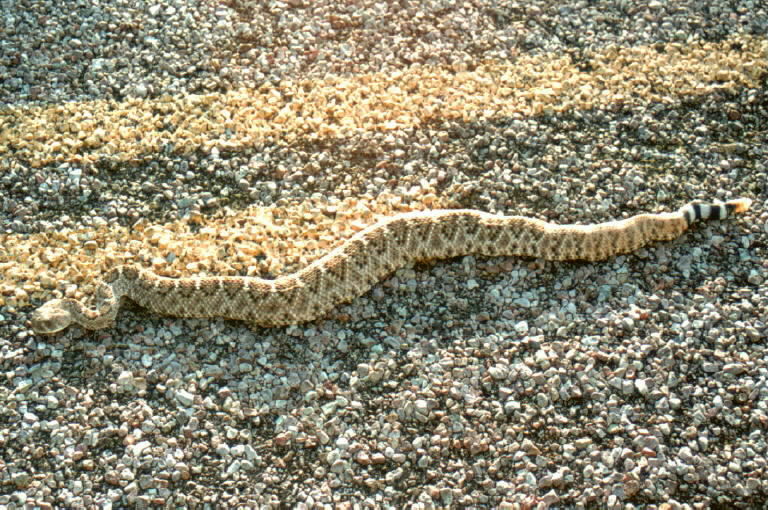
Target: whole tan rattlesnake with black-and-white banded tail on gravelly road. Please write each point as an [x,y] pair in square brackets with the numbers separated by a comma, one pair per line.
[364,259]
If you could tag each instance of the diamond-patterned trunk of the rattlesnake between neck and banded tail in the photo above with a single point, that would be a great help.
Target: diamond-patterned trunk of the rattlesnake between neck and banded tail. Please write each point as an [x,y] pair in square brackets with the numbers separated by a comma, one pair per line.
[368,257]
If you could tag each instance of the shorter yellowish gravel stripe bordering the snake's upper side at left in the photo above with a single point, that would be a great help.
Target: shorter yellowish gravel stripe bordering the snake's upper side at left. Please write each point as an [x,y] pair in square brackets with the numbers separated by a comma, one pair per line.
[256,241]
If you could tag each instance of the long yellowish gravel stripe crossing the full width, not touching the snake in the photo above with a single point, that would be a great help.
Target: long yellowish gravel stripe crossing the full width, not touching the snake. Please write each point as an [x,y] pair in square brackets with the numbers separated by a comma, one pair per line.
[622,77]
